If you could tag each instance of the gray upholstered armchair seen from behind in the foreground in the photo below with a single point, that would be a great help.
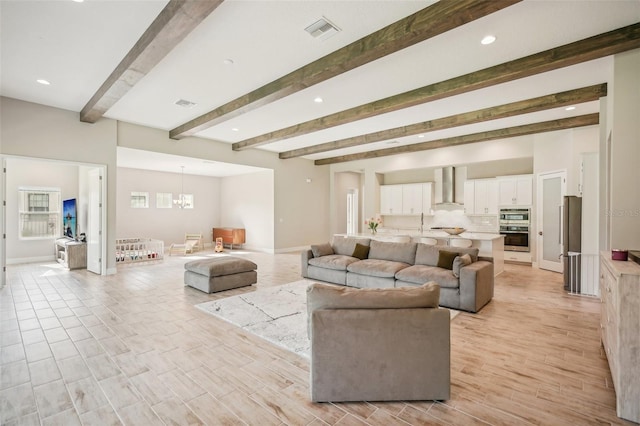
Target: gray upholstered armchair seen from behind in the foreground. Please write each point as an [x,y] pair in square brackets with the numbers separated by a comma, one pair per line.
[378,344]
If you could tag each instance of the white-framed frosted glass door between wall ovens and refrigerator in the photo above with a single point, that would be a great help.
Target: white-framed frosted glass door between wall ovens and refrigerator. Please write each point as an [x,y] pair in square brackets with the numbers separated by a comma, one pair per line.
[551,190]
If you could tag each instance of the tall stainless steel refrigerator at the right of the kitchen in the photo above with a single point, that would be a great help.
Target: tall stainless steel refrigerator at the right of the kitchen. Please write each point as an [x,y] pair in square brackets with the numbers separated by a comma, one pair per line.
[572,242]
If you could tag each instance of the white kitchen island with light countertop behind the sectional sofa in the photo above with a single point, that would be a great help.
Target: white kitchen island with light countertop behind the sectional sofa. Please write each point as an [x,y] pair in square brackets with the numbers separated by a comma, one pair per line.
[488,244]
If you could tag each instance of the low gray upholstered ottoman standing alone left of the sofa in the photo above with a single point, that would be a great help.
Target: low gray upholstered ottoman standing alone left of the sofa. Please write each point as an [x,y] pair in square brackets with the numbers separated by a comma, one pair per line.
[220,273]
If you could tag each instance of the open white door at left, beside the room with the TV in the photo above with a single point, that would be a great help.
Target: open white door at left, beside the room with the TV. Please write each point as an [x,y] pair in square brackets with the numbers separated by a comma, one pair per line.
[94,222]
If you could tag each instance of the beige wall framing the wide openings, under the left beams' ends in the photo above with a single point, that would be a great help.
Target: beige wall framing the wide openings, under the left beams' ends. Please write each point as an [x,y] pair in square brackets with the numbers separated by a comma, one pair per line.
[32,130]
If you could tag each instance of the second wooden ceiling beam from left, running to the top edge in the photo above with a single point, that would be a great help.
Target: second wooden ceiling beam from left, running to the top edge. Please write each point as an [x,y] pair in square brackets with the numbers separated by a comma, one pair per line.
[431,21]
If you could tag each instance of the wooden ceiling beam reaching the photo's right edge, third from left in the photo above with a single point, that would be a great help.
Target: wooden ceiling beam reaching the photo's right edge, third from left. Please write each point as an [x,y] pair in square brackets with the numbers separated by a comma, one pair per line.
[610,43]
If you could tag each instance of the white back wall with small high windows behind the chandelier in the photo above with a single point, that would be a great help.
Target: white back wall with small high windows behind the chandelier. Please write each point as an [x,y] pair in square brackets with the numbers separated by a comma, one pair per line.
[168,225]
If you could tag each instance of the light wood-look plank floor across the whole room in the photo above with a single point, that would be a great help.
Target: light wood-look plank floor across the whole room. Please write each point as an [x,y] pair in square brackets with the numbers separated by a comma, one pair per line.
[131,348]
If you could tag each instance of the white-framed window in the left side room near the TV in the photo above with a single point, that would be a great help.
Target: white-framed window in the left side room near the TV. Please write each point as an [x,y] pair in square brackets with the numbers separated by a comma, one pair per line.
[39,212]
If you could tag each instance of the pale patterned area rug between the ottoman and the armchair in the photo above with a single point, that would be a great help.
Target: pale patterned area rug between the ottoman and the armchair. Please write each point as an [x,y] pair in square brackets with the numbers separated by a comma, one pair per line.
[276,314]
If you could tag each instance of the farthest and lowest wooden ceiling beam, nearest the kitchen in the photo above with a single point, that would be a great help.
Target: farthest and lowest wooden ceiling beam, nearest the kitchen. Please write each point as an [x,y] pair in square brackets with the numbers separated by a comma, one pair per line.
[509,132]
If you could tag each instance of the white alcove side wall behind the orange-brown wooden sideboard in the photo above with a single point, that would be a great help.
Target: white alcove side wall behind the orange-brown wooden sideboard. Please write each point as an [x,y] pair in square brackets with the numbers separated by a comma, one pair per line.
[246,201]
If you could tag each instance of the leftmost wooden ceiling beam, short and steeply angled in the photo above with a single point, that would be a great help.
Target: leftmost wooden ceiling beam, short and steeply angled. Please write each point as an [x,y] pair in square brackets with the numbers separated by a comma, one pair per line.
[171,26]
